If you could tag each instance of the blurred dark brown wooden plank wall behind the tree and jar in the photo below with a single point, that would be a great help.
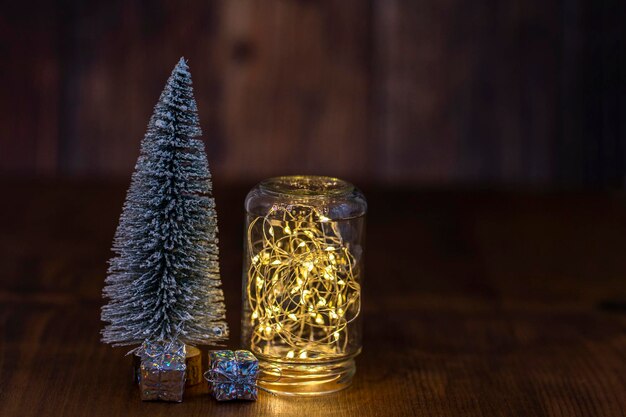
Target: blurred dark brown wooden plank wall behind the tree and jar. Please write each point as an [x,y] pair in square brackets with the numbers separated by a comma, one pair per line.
[520,91]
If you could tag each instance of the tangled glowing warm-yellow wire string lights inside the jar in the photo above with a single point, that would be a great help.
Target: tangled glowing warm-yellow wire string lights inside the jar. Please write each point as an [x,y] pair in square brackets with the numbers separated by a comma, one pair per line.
[302,285]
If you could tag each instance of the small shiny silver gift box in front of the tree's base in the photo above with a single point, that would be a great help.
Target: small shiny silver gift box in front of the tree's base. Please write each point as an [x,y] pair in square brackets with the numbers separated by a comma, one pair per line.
[162,371]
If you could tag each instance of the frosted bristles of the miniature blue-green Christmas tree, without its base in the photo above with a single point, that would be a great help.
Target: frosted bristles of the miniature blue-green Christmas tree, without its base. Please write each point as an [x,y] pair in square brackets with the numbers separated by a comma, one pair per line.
[164,279]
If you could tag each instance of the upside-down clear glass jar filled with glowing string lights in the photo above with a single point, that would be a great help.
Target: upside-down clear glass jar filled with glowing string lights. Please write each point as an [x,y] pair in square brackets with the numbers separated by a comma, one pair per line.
[303,270]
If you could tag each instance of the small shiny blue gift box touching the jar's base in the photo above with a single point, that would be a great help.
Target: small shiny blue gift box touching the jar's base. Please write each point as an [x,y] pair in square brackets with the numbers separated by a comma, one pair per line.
[233,375]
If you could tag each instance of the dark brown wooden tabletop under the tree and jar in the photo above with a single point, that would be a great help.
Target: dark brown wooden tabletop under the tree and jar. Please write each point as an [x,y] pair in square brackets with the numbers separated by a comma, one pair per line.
[476,303]
